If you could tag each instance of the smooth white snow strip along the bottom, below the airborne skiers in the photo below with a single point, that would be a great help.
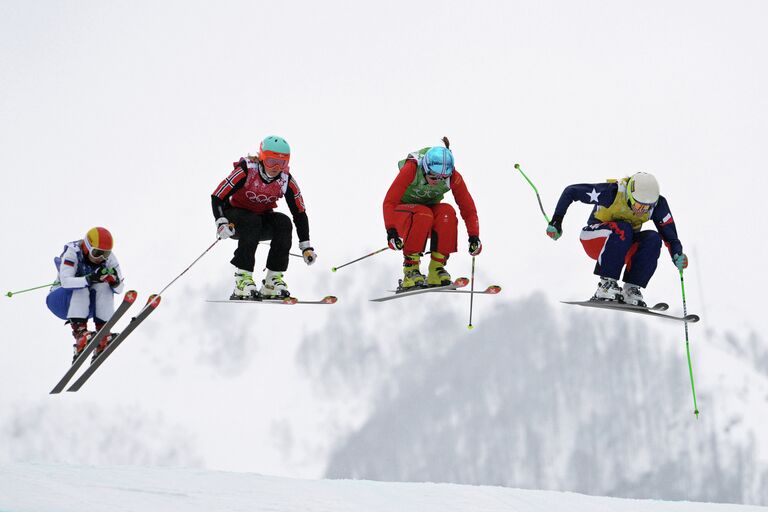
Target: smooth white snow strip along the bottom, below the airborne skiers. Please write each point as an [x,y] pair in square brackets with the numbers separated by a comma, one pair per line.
[45,488]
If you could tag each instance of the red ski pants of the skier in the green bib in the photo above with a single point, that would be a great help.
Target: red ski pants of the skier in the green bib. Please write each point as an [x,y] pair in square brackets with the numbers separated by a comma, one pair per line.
[417,222]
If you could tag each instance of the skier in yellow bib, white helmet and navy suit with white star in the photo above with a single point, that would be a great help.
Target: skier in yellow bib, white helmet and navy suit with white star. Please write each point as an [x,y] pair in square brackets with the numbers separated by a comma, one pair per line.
[613,236]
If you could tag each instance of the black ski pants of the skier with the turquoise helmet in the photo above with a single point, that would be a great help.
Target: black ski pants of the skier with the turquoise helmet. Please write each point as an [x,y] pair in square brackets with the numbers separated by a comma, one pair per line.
[252,228]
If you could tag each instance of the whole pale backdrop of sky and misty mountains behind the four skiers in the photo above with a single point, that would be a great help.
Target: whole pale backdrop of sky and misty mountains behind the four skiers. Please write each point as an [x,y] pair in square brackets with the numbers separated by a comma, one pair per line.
[128,116]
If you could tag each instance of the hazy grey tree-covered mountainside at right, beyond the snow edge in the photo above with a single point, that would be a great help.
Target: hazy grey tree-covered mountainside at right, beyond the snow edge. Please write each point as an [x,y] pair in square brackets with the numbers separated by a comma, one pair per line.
[540,396]
